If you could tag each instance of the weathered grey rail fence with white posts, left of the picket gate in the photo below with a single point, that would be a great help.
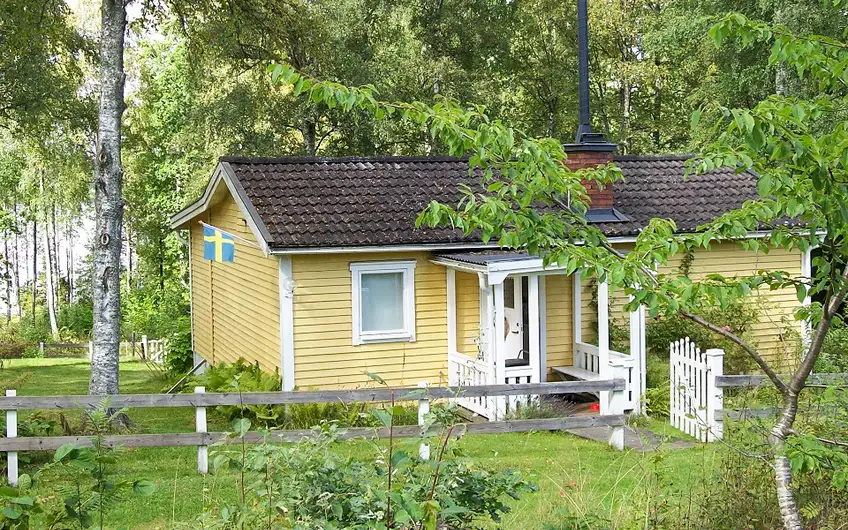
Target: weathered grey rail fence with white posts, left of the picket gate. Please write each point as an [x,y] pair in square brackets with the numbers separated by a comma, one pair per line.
[200,400]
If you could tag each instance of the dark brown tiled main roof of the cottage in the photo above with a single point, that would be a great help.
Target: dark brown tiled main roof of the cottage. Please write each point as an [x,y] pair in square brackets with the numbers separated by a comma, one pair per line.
[331,202]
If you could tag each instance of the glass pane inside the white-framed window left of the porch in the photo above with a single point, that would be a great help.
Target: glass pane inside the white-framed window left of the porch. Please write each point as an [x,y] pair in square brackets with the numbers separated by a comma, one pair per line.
[382,301]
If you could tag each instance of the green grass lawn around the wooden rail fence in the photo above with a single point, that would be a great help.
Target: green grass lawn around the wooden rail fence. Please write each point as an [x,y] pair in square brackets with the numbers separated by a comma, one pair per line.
[573,474]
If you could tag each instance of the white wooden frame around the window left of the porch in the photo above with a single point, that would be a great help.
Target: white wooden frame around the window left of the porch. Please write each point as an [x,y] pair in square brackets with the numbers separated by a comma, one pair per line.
[405,334]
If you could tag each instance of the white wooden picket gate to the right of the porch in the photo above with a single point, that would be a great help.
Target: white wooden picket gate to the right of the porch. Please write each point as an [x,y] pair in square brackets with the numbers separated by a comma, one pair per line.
[694,395]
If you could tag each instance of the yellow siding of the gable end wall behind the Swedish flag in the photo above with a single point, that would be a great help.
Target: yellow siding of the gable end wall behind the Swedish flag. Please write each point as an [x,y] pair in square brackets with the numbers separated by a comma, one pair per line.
[235,306]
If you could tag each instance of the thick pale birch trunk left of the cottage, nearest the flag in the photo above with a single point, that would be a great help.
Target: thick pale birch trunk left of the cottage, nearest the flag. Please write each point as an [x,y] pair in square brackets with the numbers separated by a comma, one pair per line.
[108,183]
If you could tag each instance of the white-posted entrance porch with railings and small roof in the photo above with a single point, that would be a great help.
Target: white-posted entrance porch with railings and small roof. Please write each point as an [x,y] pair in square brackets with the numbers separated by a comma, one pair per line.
[511,321]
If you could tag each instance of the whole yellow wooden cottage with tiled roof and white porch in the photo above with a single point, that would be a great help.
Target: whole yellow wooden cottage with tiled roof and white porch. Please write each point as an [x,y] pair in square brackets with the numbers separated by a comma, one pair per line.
[330,279]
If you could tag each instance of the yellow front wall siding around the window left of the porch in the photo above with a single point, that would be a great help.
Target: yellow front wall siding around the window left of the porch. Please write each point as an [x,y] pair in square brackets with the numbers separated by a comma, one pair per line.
[324,352]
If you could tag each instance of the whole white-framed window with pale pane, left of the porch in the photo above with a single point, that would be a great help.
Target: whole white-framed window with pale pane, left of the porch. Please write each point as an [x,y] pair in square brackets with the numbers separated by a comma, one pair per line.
[383,301]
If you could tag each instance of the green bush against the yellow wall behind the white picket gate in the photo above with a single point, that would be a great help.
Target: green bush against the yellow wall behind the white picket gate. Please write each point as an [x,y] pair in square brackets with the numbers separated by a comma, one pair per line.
[739,318]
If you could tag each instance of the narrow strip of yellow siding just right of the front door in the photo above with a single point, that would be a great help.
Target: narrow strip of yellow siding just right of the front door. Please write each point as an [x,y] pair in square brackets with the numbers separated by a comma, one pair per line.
[558,320]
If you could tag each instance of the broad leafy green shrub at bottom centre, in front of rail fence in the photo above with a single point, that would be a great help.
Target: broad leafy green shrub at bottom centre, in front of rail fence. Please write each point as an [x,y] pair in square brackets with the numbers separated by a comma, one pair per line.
[308,485]
